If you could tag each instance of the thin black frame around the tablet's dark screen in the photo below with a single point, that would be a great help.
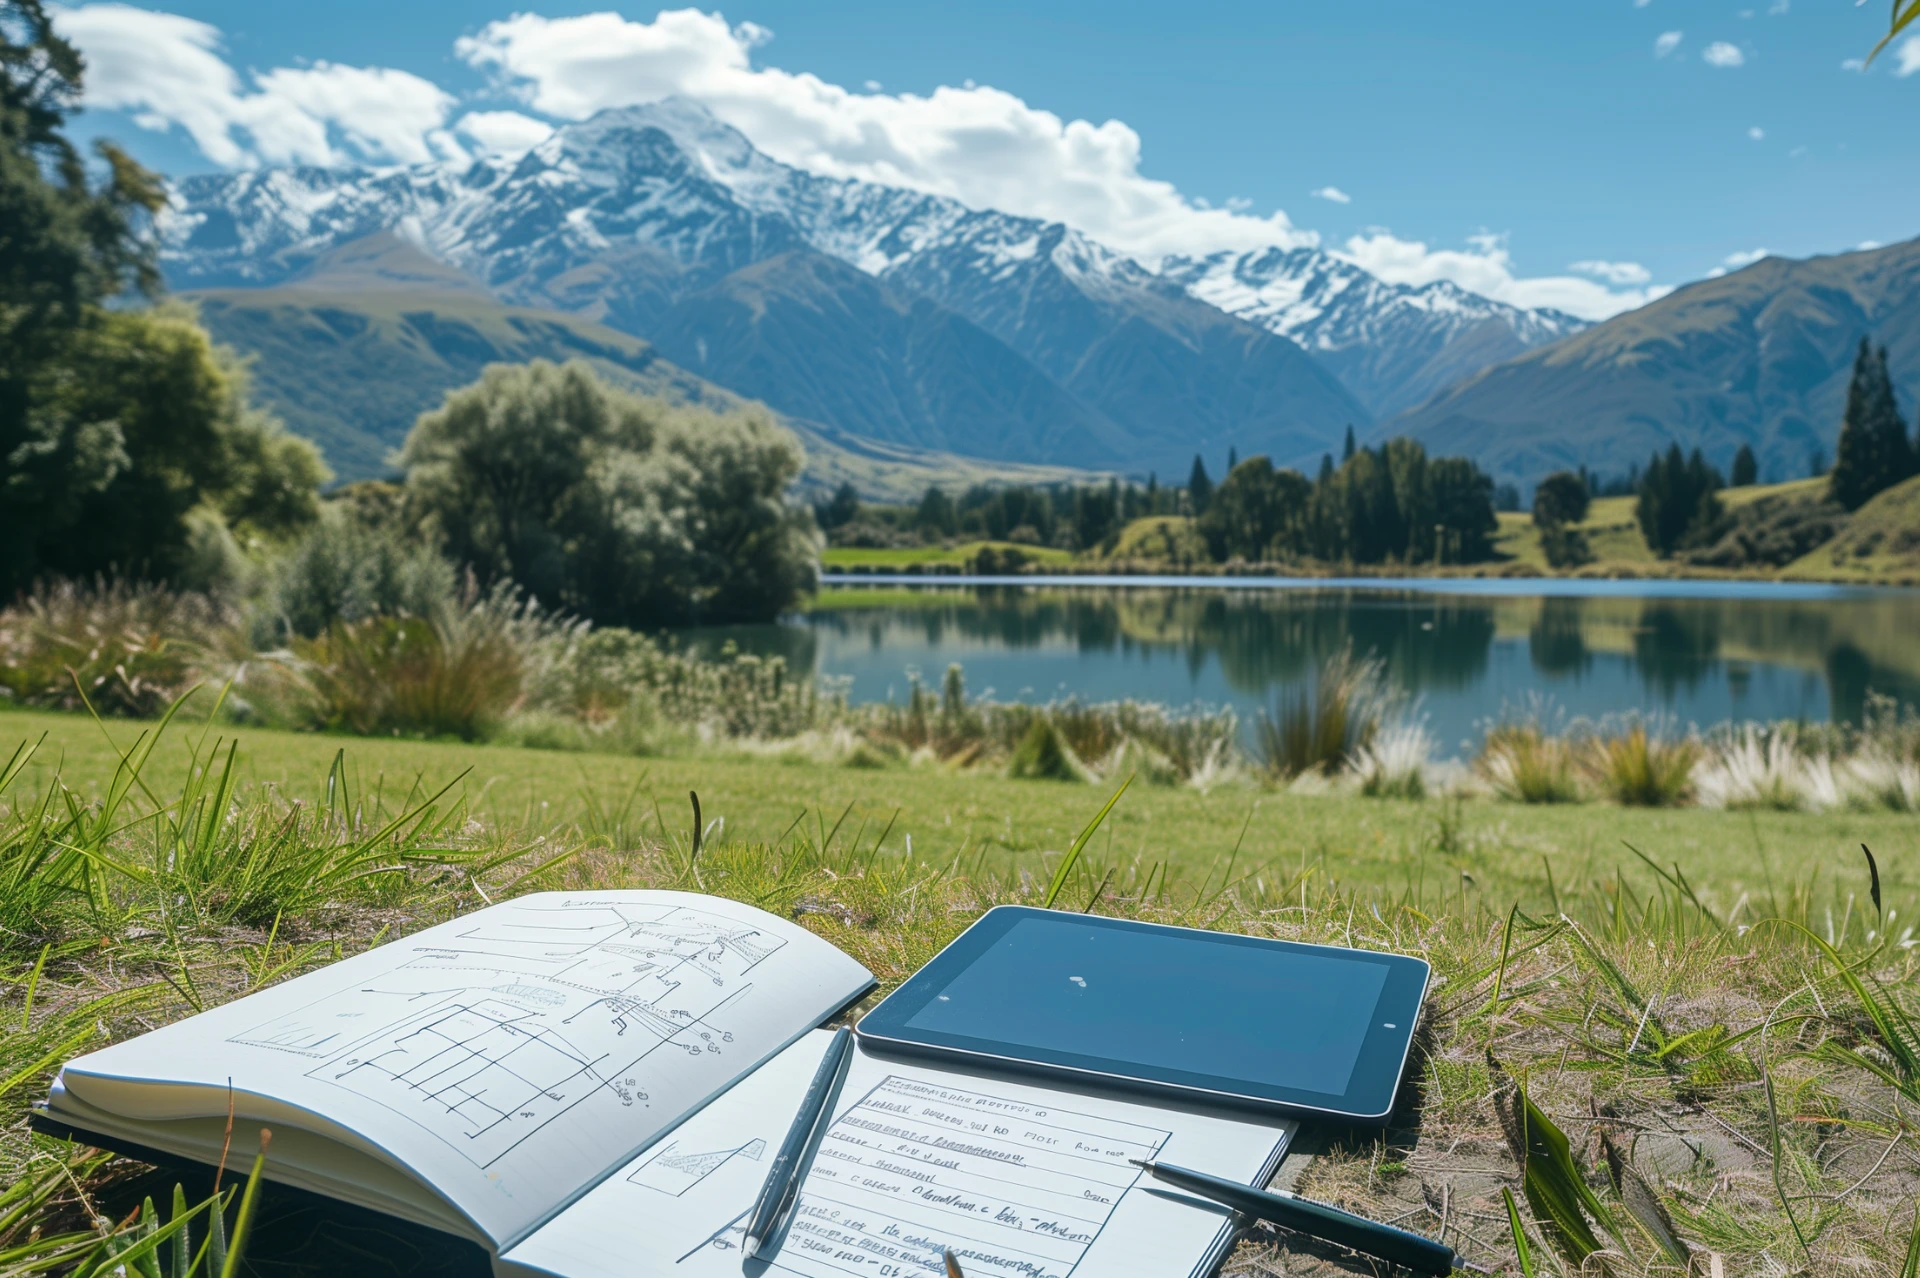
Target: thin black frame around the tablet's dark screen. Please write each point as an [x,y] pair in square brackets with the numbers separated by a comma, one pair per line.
[1370,1093]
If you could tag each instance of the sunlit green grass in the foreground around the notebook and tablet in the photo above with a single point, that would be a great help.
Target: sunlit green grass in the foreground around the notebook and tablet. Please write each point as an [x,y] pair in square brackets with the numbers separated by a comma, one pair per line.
[1752,1079]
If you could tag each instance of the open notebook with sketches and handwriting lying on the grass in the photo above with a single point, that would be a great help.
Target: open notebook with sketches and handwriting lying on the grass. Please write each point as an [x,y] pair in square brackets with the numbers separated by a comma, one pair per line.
[592,1083]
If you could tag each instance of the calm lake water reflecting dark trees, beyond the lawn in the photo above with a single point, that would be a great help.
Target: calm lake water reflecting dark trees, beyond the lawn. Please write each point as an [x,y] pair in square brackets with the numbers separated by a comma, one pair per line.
[1464,651]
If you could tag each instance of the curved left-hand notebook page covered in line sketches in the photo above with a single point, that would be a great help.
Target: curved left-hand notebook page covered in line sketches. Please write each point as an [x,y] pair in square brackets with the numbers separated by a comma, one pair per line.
[508,1058]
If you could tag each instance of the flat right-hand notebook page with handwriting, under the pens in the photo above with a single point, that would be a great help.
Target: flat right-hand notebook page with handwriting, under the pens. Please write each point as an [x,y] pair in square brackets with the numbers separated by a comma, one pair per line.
[1017,1179]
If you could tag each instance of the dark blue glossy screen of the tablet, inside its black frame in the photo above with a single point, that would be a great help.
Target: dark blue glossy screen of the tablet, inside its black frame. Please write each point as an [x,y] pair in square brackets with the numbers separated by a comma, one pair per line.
[1157,999]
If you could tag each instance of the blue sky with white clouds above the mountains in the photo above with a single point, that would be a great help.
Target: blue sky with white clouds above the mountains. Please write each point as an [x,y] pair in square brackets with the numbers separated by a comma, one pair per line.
[1570,153]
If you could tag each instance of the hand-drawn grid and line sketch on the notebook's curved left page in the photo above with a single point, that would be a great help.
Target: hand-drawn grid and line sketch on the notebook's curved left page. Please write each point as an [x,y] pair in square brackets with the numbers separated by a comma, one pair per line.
[492,1035]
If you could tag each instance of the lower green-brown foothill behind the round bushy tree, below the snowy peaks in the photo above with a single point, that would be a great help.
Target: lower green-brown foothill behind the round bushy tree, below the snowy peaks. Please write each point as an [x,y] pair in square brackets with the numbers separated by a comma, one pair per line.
[372,335]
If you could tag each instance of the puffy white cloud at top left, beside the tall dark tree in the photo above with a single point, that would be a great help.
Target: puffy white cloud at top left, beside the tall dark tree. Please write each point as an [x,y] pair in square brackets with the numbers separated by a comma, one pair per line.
[166,72]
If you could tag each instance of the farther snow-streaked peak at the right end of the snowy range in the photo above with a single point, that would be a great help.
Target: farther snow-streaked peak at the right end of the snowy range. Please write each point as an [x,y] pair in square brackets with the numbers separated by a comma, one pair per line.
[1391,344]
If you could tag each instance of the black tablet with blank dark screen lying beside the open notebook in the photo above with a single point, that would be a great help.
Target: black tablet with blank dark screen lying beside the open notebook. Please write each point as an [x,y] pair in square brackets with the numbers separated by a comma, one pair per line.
[1209,1016]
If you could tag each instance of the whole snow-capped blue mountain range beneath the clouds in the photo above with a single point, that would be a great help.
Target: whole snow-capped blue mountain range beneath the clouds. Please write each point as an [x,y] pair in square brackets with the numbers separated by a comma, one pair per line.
[660,222]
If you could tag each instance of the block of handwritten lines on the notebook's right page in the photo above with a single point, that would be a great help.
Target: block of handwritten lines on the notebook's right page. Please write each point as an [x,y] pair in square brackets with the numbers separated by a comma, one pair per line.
[917,1168]
